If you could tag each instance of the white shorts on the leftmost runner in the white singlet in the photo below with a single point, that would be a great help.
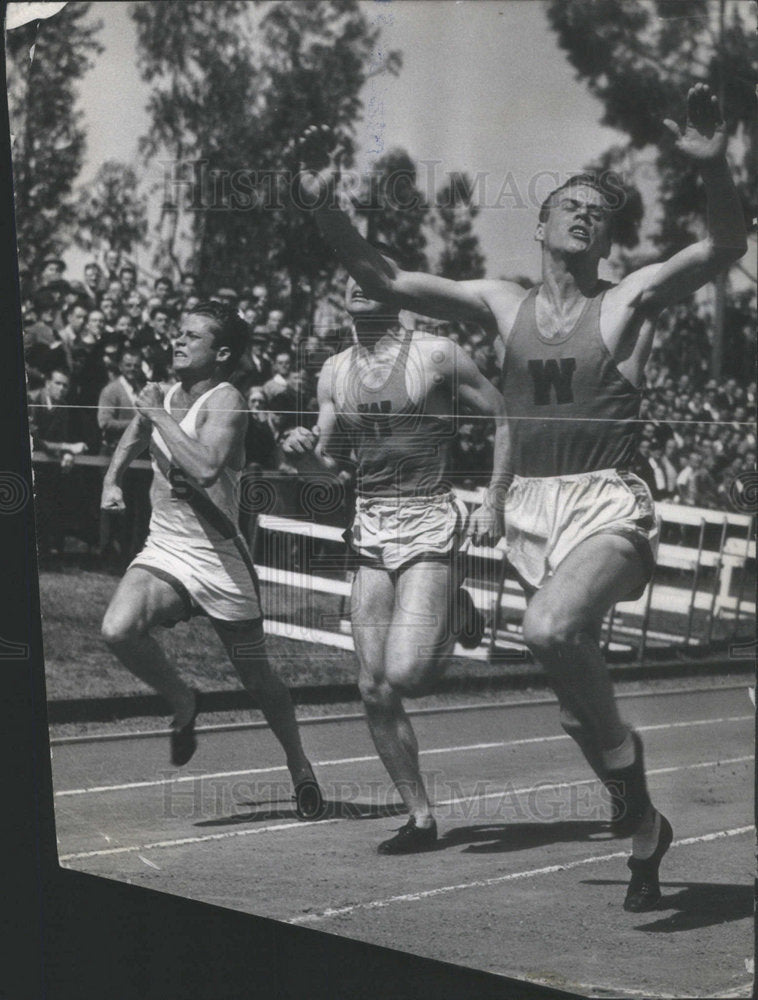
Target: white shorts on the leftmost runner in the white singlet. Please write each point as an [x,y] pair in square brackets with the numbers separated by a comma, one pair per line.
[214,578]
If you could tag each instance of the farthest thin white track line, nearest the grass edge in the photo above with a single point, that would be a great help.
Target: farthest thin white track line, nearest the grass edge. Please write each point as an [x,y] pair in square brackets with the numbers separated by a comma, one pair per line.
[228,727]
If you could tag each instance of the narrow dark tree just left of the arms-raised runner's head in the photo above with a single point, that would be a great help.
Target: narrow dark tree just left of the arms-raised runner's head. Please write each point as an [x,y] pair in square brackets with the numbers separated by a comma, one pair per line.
[454,223]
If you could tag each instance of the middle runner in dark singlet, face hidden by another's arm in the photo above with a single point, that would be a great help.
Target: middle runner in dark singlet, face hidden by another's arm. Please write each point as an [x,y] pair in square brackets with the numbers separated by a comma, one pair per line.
[389,400]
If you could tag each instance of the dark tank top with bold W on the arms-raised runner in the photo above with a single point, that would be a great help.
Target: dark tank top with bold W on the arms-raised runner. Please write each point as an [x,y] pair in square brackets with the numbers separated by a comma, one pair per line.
[570,409]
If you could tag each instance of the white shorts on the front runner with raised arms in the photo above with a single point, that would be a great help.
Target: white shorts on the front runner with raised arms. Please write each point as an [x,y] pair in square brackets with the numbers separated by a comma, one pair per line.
[546,518]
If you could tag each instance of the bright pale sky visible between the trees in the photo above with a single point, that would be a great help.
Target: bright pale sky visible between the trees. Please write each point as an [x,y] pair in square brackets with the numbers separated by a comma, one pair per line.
[483,88]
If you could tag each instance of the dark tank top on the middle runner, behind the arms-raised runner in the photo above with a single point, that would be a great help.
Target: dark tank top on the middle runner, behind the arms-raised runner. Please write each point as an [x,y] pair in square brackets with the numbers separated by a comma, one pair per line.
[400,450]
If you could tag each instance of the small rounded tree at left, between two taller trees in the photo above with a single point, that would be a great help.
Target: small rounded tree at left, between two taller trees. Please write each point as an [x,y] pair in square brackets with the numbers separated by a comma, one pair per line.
[110,211]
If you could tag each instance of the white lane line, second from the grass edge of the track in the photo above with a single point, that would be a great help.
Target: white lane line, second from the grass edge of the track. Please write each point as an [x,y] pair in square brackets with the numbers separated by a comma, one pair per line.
[67,792]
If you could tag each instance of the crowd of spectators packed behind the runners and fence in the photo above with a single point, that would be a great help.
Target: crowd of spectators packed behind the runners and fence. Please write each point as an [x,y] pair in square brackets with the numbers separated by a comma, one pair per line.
[90,345]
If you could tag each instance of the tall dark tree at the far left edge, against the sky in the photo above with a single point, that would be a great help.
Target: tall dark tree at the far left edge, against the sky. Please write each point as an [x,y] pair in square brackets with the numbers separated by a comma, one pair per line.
[48,137]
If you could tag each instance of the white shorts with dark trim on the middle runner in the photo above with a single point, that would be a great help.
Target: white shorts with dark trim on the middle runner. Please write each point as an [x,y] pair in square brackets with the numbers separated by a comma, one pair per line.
[392,532]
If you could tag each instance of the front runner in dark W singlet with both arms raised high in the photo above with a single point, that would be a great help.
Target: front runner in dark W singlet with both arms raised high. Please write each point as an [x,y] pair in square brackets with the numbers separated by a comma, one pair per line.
[580,530]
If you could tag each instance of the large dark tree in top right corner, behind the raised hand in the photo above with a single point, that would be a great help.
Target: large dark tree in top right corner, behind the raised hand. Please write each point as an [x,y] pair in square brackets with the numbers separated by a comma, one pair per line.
[639,59]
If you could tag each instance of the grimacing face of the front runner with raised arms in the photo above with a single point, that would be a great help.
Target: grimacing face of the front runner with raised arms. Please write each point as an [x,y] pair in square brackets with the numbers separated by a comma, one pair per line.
[578,223]
